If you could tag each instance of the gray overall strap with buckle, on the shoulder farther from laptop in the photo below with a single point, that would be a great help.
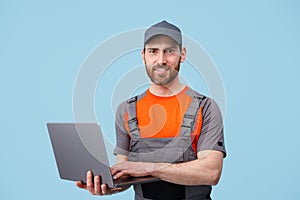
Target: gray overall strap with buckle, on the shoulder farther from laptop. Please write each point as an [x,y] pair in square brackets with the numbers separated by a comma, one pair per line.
[189,118]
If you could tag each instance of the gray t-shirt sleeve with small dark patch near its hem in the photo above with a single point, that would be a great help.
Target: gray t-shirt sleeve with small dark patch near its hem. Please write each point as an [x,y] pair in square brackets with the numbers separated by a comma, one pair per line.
[212,132]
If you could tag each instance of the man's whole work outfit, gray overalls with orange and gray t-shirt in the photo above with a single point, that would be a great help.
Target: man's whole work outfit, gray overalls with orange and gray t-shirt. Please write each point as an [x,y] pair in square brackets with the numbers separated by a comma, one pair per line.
[171,129]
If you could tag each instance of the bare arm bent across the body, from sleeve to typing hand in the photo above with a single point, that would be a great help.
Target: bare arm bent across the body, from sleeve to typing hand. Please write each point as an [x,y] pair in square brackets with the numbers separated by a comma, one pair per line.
[206,170]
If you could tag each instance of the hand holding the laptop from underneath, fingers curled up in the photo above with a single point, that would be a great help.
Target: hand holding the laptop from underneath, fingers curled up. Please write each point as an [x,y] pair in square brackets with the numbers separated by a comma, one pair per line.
[94,186]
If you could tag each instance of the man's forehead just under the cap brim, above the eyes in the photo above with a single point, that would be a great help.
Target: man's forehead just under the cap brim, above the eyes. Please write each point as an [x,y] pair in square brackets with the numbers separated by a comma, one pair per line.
[161,41]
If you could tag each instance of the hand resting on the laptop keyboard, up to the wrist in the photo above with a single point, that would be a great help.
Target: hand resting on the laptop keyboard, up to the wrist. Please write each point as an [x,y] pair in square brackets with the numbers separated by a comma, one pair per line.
[136,169]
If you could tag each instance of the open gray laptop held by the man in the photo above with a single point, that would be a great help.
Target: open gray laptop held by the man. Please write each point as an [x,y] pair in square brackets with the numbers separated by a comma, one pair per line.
[78,148]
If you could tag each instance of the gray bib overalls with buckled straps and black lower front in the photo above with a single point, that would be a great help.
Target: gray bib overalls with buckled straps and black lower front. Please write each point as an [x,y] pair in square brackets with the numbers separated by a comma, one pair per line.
[171,150]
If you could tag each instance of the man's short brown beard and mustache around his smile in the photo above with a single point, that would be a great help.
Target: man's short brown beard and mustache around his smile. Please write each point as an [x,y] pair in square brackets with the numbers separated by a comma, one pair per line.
[162,78]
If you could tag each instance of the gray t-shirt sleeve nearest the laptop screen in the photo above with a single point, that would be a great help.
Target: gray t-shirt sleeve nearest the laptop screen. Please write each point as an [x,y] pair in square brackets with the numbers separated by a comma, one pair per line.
[122,137]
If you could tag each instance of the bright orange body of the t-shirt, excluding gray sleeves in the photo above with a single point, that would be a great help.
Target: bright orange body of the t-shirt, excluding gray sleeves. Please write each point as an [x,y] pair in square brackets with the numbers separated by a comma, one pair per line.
[161,117]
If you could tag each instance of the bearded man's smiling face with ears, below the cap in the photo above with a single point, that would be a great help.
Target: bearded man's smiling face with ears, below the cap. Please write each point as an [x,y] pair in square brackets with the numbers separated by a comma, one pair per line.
[162,57]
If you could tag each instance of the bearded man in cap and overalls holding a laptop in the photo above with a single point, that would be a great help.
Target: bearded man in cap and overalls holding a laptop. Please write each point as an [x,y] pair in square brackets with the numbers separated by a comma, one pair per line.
[170,131]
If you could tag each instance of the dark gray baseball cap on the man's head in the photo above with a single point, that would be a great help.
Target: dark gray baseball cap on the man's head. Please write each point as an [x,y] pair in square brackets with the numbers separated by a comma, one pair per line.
[163,28]
